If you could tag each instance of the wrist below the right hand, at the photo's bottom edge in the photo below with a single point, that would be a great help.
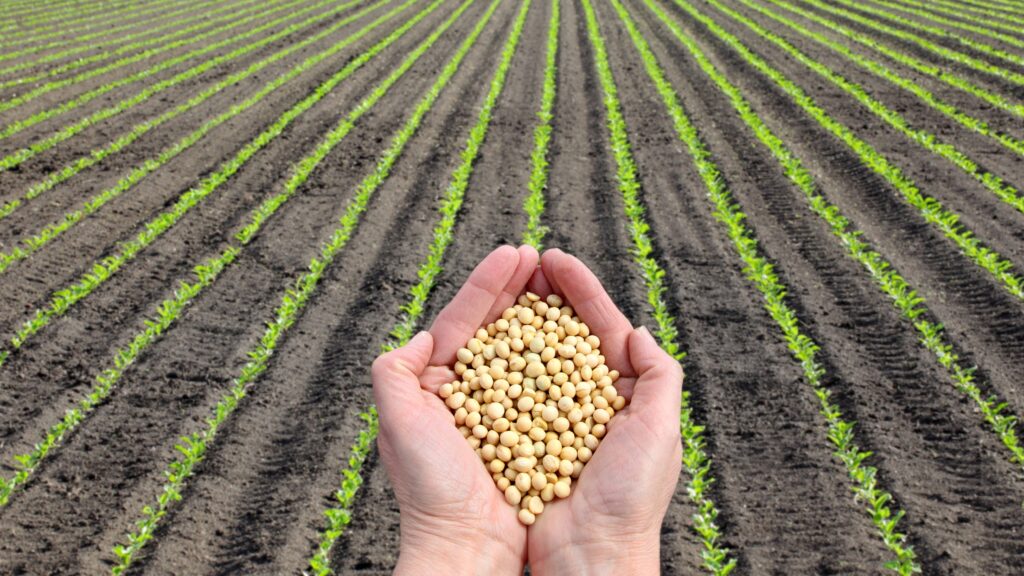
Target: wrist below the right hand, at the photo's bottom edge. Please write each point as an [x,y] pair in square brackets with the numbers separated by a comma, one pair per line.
[601,558]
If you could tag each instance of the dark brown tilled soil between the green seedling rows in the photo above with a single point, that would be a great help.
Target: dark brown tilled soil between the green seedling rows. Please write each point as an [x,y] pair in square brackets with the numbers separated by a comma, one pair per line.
[255,505]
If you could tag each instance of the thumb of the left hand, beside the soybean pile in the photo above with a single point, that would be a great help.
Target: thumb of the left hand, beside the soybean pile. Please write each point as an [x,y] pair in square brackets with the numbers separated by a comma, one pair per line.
[397,376]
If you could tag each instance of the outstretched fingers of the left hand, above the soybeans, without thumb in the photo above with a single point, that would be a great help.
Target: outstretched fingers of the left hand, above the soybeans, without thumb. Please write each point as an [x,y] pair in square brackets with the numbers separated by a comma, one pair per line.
[467,311]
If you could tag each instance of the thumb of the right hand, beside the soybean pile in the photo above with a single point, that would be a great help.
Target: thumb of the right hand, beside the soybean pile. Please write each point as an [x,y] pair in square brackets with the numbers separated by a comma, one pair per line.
[660,383]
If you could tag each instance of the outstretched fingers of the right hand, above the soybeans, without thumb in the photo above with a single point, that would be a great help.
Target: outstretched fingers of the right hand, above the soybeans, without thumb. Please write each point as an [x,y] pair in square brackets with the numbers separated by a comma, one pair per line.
[569,276]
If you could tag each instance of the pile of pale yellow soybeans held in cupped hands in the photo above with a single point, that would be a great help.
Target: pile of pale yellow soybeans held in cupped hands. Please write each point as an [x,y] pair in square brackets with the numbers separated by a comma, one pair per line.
[533,399]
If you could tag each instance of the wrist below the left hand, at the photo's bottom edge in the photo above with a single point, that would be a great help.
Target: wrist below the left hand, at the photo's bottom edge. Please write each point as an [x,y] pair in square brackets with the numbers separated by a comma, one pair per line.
[425,553]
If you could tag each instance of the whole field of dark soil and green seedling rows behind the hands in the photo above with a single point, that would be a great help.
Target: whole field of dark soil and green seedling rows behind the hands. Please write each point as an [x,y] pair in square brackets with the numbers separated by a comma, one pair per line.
[216,215]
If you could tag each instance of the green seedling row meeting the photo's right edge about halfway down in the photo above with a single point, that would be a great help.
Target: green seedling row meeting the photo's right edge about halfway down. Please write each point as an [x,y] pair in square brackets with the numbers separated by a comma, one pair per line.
[930,209]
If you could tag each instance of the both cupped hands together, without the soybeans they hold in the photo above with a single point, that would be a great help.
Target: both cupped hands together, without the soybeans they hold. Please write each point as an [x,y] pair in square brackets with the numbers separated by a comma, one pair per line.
[454,519]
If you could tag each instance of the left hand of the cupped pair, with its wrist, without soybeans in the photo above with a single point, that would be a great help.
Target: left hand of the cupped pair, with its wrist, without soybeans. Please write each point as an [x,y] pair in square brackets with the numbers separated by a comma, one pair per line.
[454,519]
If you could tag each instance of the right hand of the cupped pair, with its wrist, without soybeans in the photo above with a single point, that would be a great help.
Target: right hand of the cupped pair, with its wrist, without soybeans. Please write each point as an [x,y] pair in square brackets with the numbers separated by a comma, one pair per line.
[611,524]
